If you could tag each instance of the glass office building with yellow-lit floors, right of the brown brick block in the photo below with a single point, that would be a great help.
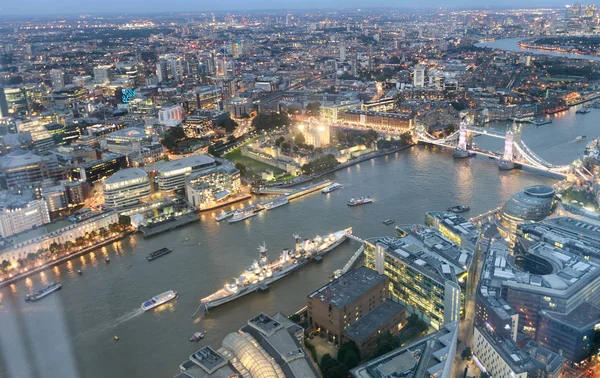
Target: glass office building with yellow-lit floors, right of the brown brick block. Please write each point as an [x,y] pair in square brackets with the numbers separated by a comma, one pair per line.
[427,273]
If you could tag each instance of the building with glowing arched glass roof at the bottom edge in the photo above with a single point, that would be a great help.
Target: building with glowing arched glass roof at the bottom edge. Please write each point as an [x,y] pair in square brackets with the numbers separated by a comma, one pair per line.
[265,347]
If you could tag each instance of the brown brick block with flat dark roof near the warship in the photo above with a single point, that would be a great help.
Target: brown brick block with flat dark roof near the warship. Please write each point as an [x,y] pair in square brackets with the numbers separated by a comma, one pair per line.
[342,302]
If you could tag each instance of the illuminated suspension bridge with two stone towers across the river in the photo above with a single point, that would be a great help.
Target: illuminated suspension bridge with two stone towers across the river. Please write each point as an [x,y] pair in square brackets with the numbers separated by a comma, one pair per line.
[516,152]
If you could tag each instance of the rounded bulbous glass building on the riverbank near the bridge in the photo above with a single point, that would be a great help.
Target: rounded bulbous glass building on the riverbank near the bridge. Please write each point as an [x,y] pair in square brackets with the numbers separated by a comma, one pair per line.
[533,203]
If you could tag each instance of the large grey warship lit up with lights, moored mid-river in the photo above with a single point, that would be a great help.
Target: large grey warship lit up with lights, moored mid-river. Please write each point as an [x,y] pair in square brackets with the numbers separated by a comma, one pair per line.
[261,273]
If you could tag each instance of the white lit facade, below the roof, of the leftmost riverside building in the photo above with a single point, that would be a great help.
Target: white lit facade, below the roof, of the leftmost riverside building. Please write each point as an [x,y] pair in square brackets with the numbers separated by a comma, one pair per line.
[15,219]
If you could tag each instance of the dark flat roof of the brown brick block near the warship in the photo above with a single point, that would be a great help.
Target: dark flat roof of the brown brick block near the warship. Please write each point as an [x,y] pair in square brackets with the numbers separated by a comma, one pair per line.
[348,287]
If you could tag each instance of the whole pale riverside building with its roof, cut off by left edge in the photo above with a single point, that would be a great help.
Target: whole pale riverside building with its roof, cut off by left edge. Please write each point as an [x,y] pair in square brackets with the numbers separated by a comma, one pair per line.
[20,212]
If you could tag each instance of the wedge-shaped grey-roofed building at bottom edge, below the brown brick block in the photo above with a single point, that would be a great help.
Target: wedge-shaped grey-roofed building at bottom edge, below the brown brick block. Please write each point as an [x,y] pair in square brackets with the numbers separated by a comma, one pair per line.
[430,356]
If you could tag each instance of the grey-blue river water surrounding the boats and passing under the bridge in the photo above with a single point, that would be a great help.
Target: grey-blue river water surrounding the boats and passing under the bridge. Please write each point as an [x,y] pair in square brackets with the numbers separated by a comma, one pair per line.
[70,333]
